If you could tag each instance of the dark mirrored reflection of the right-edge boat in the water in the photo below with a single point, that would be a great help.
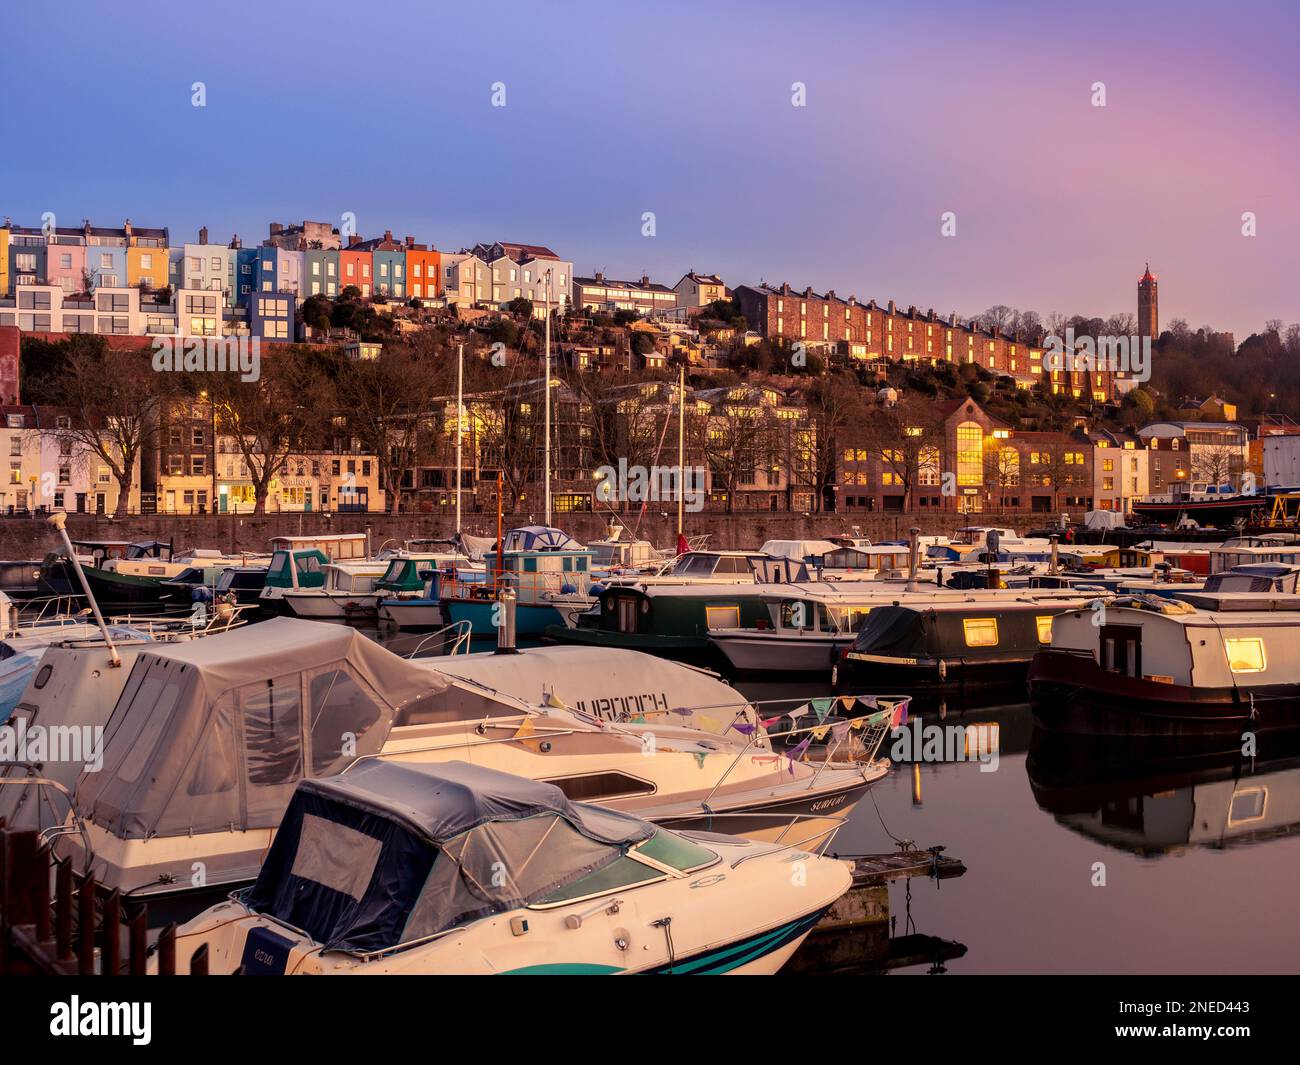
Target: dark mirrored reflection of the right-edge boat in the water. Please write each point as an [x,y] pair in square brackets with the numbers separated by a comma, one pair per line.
[1154,798]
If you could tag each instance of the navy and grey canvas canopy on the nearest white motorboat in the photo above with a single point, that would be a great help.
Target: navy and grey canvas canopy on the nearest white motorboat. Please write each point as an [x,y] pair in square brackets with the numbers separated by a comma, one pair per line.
[393,852]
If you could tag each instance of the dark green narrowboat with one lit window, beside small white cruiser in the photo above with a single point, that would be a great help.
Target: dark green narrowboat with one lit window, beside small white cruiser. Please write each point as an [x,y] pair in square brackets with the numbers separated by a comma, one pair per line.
[669,620]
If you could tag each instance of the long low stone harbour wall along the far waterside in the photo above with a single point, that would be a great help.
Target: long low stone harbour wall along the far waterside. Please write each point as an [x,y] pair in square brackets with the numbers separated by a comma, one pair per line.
[34,538]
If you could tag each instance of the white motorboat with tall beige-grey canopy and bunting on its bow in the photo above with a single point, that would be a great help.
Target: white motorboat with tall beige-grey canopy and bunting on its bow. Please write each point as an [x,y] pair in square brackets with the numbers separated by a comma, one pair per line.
[207,742]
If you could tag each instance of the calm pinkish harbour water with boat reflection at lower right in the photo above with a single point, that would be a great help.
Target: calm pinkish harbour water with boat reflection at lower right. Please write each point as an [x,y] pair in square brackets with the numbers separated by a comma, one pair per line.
[1201,852]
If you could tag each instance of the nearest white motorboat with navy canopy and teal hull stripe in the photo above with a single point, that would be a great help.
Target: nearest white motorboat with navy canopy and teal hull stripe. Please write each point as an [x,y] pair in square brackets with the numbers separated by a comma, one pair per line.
[457,869]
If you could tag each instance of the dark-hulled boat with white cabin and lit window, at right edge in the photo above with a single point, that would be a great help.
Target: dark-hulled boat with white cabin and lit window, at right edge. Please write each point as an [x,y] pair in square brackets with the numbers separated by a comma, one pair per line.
[1225,659]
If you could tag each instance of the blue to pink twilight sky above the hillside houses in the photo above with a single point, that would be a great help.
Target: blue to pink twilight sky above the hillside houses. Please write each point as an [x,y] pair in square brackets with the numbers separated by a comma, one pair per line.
[684,110]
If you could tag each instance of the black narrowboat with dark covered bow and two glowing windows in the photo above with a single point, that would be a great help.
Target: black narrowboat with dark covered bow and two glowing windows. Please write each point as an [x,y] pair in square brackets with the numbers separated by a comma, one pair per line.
[983,642]
